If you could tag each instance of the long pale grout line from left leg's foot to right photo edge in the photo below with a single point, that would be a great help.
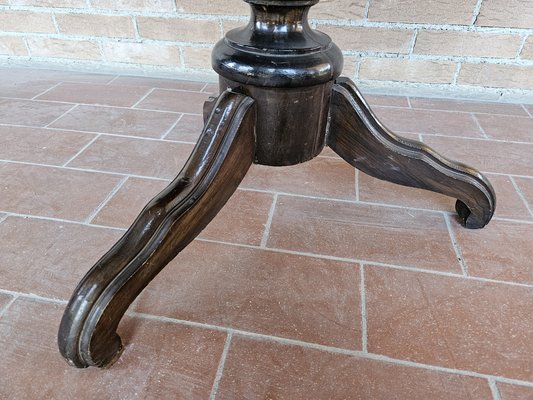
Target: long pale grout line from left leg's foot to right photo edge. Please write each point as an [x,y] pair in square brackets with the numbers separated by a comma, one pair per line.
[330,349]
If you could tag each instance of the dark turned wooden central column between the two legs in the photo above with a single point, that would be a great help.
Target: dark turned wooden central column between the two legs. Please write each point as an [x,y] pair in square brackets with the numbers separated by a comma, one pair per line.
[288,69]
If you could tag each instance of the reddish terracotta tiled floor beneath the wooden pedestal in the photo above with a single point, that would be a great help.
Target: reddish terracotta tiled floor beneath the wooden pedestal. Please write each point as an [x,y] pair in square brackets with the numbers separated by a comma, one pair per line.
[315,281]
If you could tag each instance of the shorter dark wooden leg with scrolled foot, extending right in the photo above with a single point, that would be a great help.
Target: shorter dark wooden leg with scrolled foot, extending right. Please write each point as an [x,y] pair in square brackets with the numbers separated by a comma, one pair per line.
[360,139]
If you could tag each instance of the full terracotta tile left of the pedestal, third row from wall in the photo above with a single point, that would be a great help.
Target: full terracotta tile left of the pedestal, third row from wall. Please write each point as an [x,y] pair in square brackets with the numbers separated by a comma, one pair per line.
[117,120]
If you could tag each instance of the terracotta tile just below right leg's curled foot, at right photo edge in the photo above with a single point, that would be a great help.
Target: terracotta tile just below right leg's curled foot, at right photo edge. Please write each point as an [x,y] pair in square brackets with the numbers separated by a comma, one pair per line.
[502,250]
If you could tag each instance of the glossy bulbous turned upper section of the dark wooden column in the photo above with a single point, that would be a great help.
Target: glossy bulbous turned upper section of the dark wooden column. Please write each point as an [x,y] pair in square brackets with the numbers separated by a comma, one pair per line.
[277,48]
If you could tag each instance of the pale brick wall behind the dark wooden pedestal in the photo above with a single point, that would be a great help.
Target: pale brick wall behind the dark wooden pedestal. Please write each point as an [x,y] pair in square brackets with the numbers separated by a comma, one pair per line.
[484,44]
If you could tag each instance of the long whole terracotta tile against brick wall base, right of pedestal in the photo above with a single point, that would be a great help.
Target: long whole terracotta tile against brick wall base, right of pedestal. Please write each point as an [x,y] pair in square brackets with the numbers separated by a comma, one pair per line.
[468,106]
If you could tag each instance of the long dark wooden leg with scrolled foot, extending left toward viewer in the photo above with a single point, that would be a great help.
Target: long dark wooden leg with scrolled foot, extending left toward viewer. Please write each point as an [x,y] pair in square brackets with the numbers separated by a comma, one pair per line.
[220,160]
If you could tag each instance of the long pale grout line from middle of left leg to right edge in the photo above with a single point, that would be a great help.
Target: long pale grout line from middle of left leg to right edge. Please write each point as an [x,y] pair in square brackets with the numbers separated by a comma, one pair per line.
[371,263]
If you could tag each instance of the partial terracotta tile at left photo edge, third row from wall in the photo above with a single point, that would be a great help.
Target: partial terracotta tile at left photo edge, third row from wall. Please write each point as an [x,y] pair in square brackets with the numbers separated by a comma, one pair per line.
[30,113]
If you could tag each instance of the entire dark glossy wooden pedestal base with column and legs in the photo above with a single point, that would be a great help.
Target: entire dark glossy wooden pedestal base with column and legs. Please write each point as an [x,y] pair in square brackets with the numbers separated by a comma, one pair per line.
[281,103]
